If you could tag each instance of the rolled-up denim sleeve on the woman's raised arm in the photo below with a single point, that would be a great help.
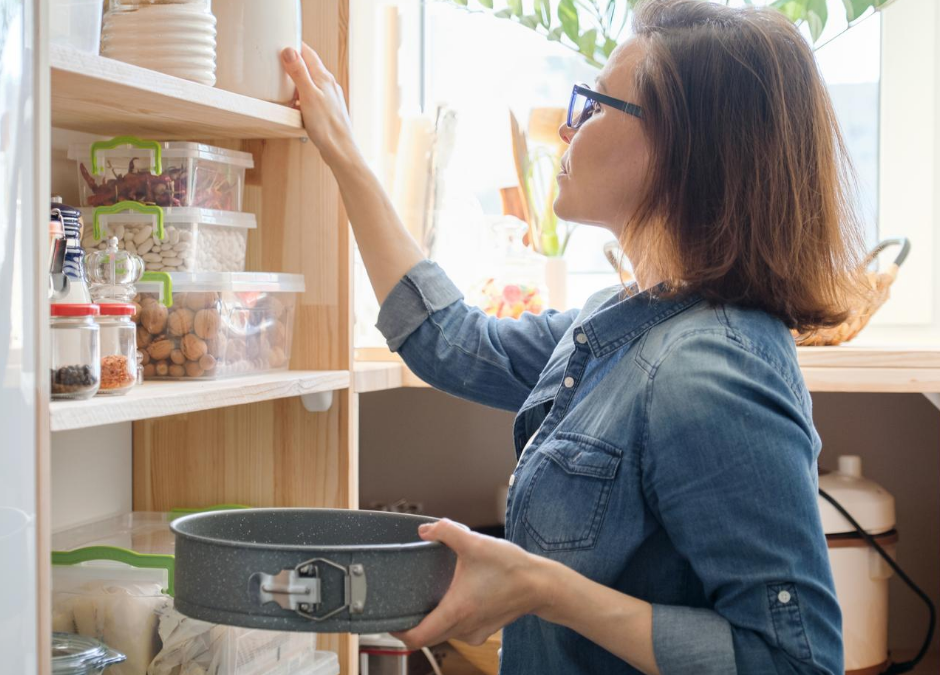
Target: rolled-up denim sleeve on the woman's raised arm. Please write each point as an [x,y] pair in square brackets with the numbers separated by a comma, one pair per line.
[458,349]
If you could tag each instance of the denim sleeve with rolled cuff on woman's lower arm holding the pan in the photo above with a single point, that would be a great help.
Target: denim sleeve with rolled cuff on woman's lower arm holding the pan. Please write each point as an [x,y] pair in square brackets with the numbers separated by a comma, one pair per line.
[729,469]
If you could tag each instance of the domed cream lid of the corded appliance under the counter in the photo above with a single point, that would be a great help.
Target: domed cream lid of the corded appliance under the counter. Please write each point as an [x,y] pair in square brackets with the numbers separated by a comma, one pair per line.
[868,503]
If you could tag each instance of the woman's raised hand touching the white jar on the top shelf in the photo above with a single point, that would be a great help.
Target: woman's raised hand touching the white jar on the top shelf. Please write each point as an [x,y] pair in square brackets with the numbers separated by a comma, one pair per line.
[321,100]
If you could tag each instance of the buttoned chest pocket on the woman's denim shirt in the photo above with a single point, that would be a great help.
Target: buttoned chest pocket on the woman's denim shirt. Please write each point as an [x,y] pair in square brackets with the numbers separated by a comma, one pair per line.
[566,499]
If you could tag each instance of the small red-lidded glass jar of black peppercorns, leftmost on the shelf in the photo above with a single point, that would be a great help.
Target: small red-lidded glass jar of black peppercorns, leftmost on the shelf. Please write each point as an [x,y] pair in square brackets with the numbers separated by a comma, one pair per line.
[76,370]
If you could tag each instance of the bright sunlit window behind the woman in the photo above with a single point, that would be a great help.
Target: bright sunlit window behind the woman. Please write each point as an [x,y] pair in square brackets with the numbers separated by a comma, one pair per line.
[880,73]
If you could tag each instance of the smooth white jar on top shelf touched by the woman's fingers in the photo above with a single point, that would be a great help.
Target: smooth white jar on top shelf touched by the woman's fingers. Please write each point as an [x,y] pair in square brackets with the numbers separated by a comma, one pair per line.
[251,36]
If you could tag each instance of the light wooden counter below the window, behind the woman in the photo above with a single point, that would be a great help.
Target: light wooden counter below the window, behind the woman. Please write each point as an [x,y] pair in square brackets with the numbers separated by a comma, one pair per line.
[846,368]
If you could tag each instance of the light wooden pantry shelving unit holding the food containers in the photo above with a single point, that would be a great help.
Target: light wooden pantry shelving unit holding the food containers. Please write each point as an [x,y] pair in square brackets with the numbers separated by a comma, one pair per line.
[248,440]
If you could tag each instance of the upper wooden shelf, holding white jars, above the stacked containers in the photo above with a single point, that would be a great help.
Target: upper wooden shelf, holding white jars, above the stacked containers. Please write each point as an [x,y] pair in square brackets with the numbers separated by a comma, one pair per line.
[107,97]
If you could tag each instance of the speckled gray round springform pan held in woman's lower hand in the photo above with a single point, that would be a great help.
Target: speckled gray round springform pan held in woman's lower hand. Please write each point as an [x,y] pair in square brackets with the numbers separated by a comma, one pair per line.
[222,555]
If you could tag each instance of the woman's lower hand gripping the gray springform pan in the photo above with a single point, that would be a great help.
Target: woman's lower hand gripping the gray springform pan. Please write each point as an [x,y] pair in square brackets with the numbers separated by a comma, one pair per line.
[495,583]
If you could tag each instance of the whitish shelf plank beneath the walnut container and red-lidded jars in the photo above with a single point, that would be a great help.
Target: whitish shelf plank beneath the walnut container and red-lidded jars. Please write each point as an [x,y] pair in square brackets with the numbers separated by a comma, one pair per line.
[159,399]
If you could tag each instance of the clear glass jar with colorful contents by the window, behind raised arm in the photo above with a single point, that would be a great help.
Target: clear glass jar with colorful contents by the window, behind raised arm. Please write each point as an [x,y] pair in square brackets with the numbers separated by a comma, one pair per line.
[516,280]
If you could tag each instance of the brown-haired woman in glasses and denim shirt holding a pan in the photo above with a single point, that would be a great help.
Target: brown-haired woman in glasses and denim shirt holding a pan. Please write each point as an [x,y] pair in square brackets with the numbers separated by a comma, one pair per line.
[662,517]
